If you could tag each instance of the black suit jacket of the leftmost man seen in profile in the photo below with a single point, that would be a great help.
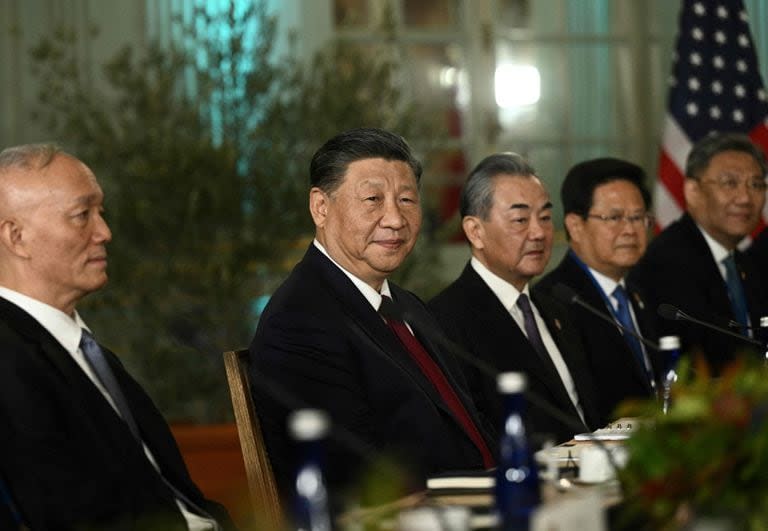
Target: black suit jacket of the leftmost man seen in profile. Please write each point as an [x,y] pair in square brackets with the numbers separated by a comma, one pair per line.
[69,460]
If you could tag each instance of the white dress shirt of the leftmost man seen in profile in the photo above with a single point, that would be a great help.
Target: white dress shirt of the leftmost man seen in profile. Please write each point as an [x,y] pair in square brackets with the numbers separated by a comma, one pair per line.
[66,330]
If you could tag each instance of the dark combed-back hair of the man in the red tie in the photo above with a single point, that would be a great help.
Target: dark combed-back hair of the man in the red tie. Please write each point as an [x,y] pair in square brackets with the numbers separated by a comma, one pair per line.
[330,162]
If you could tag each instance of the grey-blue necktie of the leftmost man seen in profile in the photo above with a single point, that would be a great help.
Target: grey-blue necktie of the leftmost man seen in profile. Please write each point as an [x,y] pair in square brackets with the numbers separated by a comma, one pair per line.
[98,362]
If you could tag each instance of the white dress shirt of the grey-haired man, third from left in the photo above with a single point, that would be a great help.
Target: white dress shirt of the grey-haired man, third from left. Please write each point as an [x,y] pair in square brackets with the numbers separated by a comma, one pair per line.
[508,296]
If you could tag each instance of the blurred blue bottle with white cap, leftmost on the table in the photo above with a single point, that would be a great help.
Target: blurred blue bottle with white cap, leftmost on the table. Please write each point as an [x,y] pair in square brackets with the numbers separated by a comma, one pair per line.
[308,427]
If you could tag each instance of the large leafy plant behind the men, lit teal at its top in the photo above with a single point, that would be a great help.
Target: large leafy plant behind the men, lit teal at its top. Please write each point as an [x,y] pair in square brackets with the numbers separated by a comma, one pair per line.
[201,147]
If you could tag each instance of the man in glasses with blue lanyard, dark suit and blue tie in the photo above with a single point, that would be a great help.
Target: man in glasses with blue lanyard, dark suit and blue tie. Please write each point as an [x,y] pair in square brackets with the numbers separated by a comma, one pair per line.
[606,203]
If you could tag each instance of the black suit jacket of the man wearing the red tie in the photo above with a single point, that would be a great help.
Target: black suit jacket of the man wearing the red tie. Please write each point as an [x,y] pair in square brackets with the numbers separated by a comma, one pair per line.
[320,343]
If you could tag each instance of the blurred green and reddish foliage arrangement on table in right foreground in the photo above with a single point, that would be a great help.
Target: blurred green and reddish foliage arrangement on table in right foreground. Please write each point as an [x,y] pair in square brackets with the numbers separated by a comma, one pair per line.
[708,457]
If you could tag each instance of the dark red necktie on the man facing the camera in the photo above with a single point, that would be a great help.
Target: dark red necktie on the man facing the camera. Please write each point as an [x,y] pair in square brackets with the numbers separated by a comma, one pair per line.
[432,371]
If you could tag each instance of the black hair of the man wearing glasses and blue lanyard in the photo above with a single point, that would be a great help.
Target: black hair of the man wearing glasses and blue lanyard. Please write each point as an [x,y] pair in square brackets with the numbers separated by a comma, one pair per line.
[577,192]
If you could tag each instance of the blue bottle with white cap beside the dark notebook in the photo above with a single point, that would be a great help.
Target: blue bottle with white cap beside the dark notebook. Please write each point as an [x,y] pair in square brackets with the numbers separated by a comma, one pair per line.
[517,482]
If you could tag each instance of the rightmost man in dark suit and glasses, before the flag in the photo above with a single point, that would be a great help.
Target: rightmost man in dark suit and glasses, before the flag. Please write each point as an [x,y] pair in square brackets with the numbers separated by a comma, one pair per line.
[694,263]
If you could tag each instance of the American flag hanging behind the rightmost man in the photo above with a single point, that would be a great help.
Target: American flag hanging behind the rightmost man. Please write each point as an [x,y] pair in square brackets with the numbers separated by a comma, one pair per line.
[715,86]
